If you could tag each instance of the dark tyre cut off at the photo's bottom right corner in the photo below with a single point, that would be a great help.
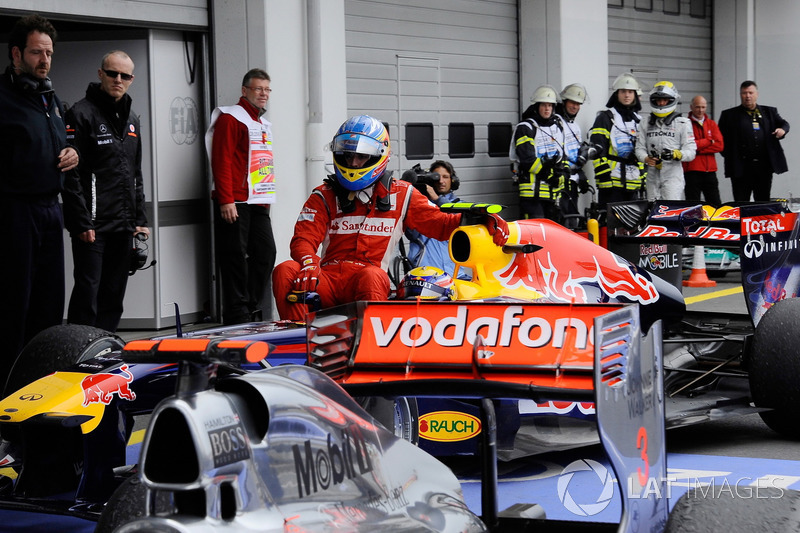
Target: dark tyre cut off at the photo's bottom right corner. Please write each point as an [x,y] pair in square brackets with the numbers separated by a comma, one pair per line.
[735,509]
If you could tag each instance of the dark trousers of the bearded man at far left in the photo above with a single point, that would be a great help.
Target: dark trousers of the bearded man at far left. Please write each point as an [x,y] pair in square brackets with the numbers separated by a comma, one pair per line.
[31,273]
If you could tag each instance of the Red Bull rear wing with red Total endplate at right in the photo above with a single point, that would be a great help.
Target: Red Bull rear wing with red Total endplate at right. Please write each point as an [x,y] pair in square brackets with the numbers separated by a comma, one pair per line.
[765,235]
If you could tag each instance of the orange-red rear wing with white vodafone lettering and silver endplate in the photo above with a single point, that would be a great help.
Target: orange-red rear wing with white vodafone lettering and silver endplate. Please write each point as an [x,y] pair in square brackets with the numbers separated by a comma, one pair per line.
[486,358]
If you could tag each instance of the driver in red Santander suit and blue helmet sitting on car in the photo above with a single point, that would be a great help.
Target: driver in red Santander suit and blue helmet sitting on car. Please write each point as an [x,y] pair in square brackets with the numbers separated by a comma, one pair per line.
[350,226]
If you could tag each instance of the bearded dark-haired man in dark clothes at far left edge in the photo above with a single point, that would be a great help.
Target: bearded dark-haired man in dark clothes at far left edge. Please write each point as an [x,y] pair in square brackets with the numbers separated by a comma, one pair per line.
[35,156]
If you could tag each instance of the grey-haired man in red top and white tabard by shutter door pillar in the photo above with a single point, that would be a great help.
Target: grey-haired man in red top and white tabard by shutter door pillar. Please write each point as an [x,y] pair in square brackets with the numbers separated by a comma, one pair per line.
[239,144]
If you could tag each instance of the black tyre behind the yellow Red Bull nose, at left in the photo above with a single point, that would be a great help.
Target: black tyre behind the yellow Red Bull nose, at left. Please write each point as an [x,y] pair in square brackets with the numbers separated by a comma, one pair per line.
[57,348]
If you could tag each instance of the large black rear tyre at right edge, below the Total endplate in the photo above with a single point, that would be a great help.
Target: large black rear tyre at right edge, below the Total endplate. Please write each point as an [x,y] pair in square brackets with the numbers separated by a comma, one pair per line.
[774,365]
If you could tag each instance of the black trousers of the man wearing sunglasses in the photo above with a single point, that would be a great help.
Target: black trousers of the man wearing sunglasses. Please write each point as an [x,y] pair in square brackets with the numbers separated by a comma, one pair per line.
[101,277]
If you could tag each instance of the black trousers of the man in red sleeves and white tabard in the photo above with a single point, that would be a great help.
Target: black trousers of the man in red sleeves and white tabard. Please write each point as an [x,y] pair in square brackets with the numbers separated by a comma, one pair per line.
[246,257]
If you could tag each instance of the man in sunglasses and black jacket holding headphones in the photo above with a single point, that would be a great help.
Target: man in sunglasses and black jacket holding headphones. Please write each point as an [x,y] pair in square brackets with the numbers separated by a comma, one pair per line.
[104,202]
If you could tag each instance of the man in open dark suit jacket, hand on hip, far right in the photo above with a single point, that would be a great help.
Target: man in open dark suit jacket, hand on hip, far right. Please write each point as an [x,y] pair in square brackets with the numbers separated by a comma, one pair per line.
[752,152]
